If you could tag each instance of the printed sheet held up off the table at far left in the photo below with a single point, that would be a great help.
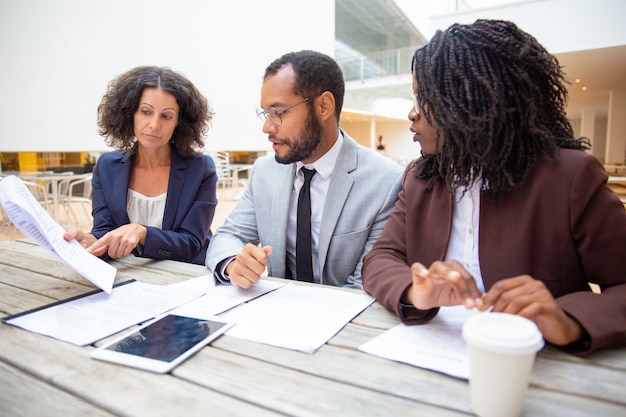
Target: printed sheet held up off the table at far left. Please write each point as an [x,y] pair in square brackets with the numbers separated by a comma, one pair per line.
[32,220]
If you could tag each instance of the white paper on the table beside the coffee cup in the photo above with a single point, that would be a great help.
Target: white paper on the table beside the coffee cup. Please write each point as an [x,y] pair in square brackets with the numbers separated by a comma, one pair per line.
[437,345]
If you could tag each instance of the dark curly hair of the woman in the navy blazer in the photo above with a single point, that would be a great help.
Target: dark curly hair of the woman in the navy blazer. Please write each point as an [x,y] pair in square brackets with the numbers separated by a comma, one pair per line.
[121,100]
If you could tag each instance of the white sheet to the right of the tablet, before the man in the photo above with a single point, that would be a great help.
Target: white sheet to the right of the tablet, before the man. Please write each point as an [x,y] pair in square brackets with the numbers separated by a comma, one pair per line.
[297,317]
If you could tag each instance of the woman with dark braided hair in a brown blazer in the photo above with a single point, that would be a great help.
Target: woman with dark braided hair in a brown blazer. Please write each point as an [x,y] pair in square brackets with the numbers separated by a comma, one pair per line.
[504,210]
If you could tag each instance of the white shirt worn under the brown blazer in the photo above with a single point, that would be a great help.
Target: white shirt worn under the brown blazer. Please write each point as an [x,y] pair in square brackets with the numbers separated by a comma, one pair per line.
[463,246]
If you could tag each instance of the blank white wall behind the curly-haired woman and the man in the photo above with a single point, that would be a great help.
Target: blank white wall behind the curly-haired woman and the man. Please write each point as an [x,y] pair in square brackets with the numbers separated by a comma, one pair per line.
[56,58]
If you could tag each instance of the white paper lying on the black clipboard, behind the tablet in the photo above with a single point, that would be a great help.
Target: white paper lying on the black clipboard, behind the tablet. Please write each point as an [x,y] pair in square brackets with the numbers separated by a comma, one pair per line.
[85,320]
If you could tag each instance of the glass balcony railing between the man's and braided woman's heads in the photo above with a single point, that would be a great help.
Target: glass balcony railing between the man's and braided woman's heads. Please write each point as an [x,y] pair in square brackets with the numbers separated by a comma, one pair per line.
[378,64]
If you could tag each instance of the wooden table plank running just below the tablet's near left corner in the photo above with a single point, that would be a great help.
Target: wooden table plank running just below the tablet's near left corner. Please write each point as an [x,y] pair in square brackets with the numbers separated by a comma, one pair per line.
[117,389]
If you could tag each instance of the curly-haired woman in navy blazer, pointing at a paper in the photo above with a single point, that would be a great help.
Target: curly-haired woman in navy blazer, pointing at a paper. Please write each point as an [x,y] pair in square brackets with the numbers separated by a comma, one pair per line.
[155,195]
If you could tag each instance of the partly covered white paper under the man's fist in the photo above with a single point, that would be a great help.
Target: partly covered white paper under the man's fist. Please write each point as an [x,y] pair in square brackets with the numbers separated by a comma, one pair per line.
[220,298]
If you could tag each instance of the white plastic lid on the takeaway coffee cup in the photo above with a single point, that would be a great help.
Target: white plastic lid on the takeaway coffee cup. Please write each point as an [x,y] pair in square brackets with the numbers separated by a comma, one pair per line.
[503,333]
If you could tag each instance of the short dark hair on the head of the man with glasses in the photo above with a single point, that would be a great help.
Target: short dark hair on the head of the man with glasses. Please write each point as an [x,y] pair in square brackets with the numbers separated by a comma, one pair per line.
[315,73]
